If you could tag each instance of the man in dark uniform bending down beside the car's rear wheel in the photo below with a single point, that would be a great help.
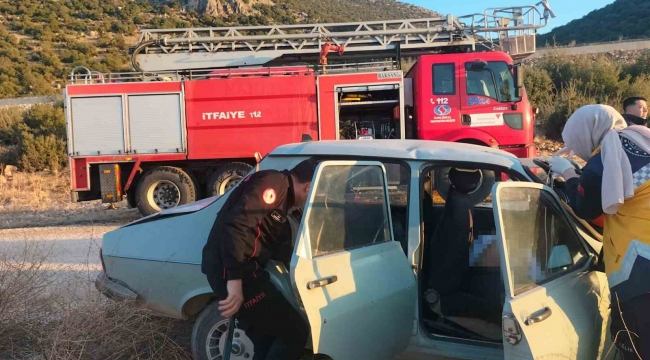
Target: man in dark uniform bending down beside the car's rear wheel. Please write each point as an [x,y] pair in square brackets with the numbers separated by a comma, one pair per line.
[250,229]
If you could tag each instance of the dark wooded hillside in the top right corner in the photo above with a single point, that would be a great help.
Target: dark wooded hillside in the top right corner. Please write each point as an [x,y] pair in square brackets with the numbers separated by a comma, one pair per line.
[622,19]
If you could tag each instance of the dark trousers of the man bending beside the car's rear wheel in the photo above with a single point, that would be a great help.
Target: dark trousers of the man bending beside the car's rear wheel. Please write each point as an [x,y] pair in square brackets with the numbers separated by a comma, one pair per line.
[277,330]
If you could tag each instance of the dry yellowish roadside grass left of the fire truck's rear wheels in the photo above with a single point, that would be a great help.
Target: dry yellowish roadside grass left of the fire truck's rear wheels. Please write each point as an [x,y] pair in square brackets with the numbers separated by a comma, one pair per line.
[43,199]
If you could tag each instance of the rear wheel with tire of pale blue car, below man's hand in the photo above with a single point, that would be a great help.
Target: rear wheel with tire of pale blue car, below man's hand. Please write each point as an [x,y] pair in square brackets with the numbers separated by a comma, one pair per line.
[209,331]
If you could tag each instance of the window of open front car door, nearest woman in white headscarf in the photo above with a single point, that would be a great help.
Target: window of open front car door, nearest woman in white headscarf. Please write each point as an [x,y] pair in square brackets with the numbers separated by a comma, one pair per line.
[540,242]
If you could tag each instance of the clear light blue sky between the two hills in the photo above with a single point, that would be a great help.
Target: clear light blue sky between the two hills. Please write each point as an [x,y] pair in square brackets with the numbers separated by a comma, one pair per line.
[564,9]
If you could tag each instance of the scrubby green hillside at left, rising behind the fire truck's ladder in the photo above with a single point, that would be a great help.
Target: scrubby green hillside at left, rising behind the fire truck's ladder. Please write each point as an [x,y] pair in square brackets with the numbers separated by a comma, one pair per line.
[41,41]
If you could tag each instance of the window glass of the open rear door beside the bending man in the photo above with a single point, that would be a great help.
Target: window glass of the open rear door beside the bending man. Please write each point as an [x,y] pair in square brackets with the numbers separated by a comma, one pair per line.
[349,210]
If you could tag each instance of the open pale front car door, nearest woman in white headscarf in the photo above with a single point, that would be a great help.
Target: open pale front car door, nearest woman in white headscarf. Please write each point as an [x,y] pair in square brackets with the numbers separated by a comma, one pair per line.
[556,307]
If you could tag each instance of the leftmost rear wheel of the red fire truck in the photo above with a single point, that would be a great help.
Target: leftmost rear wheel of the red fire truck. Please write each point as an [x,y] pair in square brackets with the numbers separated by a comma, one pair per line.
[164,187]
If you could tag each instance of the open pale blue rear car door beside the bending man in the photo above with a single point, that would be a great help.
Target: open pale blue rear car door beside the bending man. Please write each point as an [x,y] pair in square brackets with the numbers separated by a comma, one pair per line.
[353,279]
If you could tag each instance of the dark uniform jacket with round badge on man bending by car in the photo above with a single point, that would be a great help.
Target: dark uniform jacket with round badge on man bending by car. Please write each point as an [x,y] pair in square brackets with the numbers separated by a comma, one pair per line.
[251,228]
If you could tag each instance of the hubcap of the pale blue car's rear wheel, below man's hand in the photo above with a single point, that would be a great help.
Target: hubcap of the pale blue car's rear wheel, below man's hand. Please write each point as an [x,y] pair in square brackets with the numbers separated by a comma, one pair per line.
[242,346]
